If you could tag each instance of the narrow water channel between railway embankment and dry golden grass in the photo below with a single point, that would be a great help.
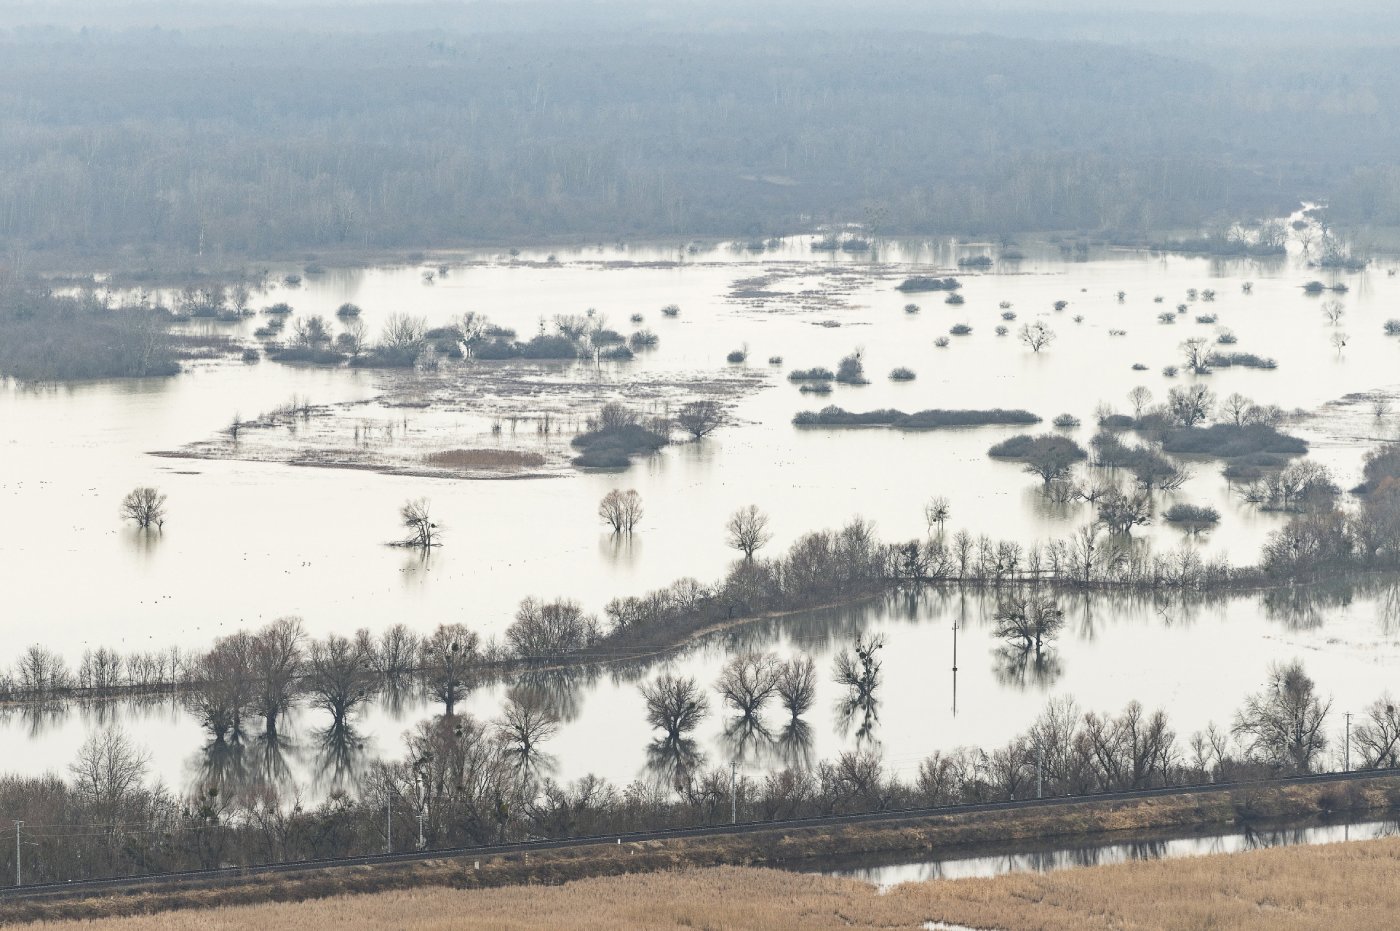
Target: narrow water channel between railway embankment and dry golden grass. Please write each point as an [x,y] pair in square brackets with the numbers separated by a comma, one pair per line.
[892,874]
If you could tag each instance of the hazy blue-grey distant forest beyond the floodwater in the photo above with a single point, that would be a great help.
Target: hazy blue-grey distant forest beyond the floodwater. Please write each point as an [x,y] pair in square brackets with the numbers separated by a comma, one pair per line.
[232,143]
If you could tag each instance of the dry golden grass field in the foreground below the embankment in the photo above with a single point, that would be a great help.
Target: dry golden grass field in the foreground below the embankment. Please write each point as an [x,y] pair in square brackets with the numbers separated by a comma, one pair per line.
[1335,887]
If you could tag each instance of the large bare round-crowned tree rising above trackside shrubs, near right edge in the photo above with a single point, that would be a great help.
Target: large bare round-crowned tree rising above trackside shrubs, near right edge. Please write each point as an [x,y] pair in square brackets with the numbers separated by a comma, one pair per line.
[1284,724]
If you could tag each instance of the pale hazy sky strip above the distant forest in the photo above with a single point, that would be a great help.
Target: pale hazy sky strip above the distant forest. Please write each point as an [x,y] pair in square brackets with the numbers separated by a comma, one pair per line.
[1234,22]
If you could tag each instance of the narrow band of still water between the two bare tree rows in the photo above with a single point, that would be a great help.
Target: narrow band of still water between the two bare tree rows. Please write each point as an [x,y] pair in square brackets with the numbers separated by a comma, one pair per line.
[1196,660]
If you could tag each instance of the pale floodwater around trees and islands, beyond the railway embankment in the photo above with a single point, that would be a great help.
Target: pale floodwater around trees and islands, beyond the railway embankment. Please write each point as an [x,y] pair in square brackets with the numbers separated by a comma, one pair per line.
[250,540]
